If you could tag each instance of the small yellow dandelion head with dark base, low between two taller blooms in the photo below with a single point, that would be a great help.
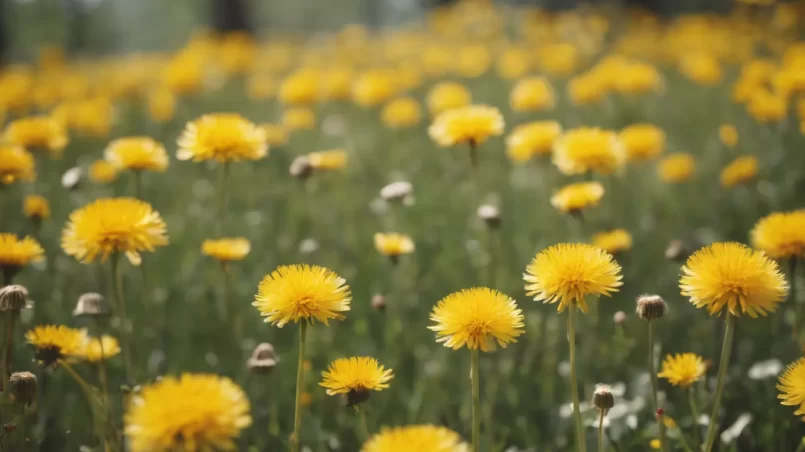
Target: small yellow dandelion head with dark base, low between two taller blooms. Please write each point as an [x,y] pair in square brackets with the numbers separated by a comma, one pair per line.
[355,377]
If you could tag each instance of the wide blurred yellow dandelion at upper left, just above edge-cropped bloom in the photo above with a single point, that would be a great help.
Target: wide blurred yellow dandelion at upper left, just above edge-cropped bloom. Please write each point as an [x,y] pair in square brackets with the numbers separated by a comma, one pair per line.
[37,132]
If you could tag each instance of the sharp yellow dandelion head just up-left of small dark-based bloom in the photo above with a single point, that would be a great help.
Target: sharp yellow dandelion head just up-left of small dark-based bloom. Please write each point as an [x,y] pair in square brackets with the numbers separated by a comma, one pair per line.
[302,292]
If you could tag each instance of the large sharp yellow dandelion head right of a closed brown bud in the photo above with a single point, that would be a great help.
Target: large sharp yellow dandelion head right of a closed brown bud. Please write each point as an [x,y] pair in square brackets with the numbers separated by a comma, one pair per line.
[734,276]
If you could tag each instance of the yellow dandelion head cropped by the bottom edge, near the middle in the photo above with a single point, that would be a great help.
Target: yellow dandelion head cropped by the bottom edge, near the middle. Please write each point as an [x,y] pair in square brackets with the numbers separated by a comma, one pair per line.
[430,438]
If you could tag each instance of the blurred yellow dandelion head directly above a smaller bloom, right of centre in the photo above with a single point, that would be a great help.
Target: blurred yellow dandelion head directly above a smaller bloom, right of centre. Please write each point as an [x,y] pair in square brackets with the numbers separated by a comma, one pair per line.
[586,149]
